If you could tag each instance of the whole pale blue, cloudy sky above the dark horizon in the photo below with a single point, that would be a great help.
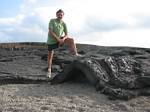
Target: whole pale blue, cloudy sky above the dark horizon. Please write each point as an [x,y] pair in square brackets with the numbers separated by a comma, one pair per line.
[98,22]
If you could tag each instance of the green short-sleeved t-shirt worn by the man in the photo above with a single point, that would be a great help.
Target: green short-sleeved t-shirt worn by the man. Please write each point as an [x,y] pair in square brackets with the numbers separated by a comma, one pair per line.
[58,27]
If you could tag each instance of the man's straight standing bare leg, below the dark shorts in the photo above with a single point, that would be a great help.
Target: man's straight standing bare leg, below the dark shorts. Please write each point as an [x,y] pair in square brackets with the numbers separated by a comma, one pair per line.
[50,58]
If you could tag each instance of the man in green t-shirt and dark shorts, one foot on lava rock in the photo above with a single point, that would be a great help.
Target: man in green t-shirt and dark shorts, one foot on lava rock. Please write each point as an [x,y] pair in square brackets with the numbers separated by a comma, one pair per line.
[57,27]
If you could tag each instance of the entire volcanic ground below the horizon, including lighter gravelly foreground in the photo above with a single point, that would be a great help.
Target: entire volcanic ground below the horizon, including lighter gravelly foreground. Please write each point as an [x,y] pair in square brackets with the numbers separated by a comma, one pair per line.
[99,81]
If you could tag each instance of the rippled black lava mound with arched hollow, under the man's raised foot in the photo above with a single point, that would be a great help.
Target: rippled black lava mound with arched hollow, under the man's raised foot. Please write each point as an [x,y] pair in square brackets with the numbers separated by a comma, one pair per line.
[119,77]
